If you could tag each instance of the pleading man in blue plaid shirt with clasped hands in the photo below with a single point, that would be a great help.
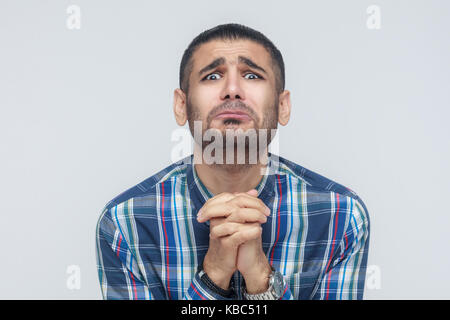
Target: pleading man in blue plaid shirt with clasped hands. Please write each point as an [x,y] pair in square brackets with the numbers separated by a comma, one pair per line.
[212,227]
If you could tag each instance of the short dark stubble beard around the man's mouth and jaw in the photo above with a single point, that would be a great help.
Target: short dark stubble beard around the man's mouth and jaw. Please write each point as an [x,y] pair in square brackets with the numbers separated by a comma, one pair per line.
[244,143]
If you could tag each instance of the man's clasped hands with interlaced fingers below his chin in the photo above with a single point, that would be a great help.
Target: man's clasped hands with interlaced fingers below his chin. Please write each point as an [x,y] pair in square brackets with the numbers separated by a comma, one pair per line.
[235,239]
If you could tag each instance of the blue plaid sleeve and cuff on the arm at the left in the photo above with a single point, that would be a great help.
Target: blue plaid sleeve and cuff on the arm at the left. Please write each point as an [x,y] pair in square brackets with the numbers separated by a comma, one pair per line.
[120,276]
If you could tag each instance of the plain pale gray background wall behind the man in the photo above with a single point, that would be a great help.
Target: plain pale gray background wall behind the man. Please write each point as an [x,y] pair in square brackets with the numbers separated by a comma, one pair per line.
[86,114]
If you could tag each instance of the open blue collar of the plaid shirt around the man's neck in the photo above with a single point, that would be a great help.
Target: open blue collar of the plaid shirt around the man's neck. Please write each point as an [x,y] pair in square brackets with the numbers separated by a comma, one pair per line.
[200,194]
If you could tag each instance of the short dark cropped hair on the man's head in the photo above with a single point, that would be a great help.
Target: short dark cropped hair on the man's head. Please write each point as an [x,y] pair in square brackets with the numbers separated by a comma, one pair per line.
[231,31]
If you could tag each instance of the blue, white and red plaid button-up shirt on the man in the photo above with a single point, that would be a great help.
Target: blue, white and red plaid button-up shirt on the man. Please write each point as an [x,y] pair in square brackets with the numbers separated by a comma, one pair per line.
[149,242]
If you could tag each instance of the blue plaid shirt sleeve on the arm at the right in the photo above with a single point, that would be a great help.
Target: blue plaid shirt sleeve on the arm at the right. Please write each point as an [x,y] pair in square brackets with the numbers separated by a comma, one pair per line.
[345,277]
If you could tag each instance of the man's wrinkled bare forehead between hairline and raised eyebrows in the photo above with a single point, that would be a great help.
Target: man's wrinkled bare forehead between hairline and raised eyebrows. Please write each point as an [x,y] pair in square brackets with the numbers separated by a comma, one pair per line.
[231,50]
